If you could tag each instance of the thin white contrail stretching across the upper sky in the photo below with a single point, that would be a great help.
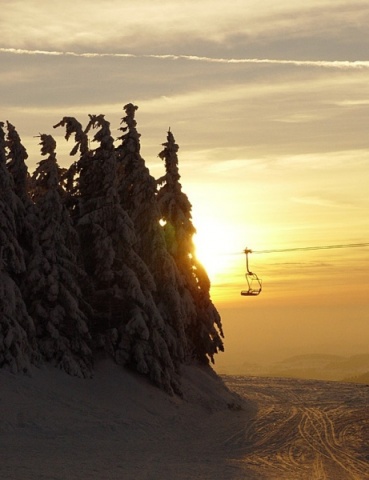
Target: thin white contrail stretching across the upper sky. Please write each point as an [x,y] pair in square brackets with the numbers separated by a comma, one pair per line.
[337,64]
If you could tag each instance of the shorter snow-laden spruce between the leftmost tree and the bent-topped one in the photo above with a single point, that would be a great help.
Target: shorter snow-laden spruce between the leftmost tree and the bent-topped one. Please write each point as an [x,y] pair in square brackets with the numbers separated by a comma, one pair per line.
[55,299]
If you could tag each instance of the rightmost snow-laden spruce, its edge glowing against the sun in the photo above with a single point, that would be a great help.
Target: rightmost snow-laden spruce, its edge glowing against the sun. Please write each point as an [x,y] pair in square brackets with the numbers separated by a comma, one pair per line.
[205,329]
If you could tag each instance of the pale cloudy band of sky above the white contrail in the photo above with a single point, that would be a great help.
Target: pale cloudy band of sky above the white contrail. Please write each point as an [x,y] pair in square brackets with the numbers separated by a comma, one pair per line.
[319,27]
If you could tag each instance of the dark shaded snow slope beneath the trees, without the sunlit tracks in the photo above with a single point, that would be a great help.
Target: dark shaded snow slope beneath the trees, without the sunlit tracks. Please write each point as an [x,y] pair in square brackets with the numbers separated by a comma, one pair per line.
[114,426]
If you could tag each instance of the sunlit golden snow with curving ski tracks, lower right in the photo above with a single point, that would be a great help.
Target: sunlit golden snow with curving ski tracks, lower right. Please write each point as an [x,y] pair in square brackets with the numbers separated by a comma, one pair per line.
[305,429]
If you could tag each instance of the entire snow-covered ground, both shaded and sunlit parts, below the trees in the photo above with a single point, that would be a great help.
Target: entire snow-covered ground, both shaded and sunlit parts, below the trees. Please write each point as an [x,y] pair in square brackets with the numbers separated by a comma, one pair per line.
[117,426]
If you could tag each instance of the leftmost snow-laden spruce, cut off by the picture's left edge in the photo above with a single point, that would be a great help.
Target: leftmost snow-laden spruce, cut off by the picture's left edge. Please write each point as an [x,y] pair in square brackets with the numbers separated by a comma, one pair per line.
[17,333]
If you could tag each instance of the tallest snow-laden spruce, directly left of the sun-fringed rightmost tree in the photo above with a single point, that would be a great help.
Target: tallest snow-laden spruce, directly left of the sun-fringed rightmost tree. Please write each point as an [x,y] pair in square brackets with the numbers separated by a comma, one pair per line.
[138,192]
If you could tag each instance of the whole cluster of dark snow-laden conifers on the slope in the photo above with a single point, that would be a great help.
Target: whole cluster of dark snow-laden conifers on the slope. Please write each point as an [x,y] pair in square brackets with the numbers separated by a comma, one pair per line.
[98,258]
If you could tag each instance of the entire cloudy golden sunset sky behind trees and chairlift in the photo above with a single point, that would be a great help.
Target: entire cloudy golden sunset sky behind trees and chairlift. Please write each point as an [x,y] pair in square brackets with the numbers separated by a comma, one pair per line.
[269,104]
